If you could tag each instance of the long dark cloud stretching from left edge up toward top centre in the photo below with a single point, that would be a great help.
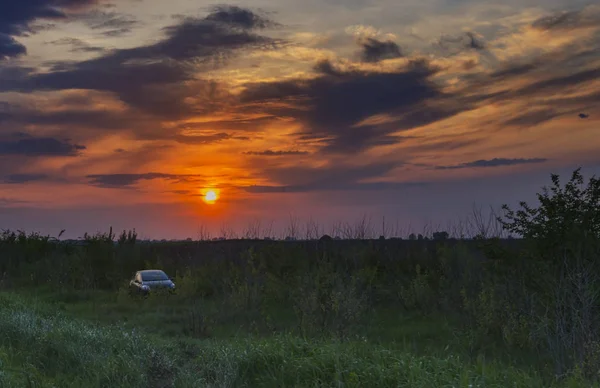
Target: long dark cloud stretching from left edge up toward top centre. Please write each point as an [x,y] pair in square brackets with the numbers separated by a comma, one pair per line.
[160,77]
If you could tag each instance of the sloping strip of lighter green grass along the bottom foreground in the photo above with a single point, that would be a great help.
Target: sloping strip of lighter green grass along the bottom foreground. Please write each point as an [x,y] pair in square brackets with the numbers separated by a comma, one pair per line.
[40,347]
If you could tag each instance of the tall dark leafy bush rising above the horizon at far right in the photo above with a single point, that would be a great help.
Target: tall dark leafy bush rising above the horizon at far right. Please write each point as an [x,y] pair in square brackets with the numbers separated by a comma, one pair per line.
[563,236]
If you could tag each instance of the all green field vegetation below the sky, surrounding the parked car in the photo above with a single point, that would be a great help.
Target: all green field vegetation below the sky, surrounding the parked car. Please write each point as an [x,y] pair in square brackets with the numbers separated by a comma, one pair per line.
[430,311]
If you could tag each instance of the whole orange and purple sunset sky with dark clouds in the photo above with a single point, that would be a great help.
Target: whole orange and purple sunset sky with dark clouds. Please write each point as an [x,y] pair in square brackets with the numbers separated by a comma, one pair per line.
[126,112]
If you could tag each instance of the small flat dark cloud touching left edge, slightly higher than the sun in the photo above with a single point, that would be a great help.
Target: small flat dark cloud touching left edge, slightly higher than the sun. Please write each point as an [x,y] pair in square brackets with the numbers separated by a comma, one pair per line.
[39,146]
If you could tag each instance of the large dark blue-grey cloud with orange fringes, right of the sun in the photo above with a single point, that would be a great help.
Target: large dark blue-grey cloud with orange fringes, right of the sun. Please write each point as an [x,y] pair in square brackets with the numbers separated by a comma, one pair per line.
[332,105]
